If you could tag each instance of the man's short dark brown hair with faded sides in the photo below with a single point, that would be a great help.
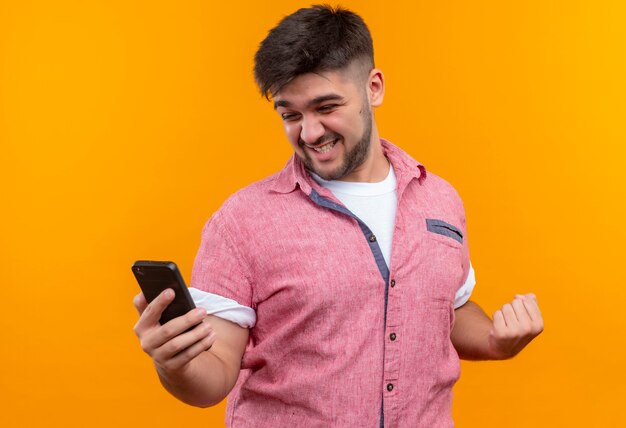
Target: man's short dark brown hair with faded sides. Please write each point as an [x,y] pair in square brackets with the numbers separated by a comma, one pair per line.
[319,38]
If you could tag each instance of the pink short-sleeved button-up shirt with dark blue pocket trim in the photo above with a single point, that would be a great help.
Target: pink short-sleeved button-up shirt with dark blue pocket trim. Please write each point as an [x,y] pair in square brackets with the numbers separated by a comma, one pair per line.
[340,339]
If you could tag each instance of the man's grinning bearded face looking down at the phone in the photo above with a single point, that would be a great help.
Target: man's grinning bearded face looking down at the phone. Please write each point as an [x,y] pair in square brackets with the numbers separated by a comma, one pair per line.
[328,121]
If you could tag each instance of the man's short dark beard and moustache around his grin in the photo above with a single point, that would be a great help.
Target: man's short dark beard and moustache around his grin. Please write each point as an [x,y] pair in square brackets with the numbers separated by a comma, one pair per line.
[352,159]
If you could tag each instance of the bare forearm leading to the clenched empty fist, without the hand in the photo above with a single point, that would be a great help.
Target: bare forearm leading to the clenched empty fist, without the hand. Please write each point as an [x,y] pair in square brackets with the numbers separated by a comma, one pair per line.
[470,334]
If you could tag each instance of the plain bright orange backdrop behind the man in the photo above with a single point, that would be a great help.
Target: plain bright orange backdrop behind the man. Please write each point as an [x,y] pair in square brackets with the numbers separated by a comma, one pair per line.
[124,125]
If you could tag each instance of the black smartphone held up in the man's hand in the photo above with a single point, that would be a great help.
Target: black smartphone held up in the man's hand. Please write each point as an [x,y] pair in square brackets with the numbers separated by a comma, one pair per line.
[154,277]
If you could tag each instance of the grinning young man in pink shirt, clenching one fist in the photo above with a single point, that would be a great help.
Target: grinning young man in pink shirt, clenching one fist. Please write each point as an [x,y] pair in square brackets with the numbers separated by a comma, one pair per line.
[329,291]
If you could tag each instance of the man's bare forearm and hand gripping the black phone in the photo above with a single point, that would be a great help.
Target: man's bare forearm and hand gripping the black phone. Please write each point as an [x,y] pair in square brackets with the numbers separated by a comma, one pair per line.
[197,356]
